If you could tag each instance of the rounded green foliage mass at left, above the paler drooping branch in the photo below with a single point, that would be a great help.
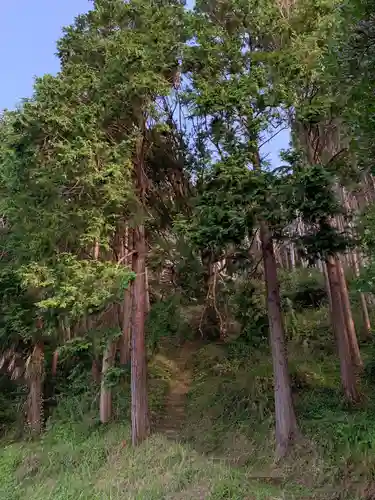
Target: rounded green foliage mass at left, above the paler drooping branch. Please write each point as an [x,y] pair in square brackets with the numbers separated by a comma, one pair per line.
[65,201]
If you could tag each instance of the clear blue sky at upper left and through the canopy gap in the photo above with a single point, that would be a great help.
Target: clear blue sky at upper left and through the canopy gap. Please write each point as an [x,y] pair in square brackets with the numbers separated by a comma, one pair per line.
[28,35]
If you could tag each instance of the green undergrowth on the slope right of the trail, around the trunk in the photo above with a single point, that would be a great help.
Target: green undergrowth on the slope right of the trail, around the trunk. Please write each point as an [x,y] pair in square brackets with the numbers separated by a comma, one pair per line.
[230,414]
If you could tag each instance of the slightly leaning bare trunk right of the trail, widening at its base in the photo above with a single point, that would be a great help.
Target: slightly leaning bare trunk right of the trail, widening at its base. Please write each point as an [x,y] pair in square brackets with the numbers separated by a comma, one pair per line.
[286,423]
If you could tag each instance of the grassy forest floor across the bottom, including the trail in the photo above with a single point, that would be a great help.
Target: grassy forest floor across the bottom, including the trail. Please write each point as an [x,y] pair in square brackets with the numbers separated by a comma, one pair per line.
[212,438]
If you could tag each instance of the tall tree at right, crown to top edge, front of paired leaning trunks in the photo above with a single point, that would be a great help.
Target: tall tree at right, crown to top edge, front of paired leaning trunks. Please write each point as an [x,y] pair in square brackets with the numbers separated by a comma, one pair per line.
[303,34]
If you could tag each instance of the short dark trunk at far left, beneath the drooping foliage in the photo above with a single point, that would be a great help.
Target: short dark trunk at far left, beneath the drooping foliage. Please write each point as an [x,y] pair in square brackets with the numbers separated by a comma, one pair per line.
[34,376]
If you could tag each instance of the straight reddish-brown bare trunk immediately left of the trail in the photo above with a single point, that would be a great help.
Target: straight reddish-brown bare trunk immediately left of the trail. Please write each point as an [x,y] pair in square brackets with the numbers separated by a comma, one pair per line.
[140,418]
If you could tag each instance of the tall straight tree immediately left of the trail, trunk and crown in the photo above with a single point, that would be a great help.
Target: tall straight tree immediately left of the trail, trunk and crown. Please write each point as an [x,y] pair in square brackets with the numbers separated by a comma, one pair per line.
[132,50]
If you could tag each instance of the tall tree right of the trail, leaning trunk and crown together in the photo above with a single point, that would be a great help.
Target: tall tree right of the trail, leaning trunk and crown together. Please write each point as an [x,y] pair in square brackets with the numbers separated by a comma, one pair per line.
[230,96]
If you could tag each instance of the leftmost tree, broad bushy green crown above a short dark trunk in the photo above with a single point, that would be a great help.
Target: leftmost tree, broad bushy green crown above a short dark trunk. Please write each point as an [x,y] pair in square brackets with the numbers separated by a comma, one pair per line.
[57,203]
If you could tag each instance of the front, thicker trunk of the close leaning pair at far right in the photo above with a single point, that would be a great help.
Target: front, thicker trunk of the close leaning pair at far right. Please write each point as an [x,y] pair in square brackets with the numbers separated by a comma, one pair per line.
[348,377]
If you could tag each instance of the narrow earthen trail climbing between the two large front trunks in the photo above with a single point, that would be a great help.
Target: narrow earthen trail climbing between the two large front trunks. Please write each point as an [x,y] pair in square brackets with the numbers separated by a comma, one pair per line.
[174,418]
